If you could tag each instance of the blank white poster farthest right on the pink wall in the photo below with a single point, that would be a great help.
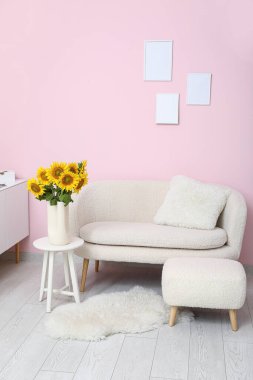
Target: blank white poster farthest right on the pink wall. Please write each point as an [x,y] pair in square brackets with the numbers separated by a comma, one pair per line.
[199,88]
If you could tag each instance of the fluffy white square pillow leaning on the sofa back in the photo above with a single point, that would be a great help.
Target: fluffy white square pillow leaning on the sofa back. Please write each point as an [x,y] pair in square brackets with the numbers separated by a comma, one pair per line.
[193,204]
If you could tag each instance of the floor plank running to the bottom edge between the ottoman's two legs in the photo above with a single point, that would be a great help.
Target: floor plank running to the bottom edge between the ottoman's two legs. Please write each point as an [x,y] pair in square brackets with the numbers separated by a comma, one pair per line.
[206,360]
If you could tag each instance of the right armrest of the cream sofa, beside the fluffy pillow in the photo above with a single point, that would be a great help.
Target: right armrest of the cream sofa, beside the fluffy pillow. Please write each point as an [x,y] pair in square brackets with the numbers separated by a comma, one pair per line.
[233,220]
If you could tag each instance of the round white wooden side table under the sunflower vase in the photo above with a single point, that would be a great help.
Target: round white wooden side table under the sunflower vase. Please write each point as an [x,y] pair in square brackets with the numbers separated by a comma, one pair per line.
[48,266]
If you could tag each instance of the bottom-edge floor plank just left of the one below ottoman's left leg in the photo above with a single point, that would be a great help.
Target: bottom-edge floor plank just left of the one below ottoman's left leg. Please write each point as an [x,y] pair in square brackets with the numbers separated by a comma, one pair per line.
[135,359]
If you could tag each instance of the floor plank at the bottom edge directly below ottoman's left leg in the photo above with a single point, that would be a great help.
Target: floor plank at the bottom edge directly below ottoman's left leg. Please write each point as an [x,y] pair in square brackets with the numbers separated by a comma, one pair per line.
[172,352]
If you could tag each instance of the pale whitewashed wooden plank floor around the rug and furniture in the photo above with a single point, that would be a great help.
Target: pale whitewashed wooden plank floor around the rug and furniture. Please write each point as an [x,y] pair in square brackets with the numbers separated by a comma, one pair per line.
[203,349]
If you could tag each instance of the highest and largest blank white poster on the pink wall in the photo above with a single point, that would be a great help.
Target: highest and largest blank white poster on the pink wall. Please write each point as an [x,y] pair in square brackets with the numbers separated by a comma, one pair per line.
[158,60]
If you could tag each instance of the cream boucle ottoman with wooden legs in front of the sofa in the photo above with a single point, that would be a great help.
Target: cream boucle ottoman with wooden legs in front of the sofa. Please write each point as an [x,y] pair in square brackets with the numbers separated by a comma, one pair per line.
[205,283]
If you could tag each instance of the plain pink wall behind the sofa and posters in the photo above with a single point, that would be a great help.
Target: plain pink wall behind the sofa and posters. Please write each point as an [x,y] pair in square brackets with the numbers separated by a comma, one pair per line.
[71,87]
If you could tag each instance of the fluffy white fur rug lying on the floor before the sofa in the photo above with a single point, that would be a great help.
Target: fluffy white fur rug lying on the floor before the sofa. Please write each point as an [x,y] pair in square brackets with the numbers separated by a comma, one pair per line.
[133,311]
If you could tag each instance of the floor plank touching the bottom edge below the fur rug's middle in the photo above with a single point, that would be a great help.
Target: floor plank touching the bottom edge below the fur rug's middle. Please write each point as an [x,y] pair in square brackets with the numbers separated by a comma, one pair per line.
[100,359]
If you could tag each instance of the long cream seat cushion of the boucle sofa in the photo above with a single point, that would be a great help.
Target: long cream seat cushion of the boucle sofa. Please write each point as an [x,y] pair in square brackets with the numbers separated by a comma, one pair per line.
[151,235]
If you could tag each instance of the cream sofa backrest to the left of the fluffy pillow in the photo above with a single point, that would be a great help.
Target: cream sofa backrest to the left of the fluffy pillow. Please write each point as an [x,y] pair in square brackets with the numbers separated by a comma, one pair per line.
[123,201]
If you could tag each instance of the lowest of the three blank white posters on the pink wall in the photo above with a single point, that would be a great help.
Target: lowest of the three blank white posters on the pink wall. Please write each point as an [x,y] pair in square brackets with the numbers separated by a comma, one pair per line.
[167,108]
